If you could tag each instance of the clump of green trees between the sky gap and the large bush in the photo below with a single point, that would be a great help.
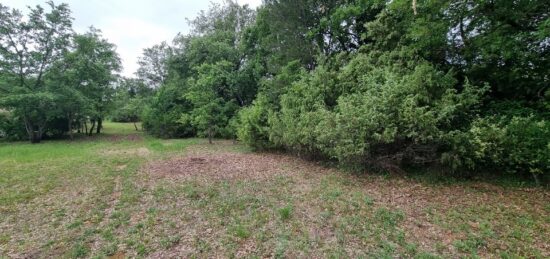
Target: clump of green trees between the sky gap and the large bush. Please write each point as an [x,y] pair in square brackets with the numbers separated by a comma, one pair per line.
[209,77]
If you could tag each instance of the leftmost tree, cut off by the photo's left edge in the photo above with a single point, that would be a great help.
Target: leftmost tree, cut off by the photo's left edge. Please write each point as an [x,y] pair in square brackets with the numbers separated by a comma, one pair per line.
[28,47]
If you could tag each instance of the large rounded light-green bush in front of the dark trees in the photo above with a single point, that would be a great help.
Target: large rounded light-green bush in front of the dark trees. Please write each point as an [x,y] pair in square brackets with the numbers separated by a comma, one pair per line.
[372,111]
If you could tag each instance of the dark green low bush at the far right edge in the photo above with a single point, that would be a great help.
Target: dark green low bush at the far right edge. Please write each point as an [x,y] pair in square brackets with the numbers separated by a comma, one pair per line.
[505,144]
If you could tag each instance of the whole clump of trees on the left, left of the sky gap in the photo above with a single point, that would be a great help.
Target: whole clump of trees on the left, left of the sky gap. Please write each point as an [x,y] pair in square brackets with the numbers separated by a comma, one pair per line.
[51,78]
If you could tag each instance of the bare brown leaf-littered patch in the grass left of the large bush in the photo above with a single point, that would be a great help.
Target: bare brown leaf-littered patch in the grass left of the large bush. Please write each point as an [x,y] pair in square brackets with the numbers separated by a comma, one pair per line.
[222,166]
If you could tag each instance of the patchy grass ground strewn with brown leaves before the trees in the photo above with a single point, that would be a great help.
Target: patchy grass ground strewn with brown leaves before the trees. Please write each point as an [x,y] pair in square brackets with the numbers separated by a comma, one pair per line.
[124,194]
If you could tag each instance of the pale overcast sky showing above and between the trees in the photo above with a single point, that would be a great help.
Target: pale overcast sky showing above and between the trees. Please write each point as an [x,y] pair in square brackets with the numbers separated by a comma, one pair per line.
[132,24]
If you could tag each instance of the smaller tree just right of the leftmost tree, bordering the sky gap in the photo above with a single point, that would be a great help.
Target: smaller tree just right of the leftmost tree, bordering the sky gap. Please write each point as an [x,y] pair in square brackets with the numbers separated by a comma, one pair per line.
[88,71]
